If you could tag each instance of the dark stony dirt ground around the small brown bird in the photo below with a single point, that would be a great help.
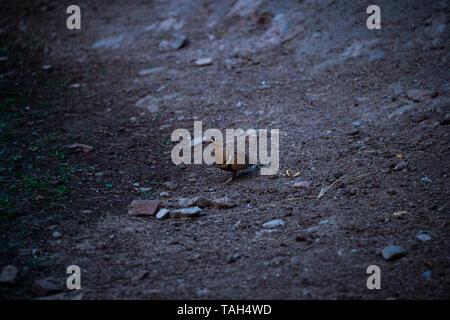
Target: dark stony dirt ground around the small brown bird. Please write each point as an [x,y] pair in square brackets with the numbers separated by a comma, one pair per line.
[76,150]
